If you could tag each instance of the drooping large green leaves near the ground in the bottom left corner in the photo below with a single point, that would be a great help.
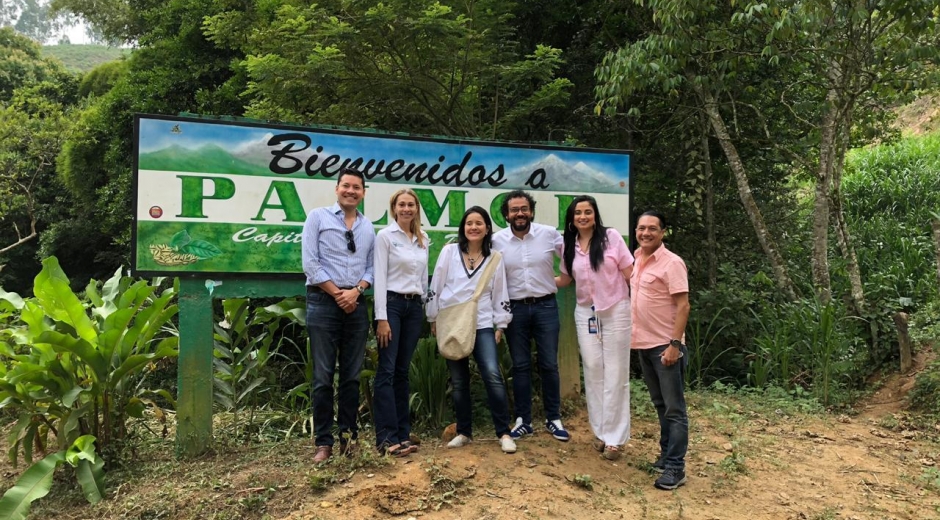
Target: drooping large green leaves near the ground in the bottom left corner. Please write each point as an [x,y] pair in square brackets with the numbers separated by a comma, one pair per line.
[36,481]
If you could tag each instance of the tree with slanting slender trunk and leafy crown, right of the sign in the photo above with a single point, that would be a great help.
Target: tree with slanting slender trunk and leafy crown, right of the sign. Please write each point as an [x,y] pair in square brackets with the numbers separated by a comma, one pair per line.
[697,46]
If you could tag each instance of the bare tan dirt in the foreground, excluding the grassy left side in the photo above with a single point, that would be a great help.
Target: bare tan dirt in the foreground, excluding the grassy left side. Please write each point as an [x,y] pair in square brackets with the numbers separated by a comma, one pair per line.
[742,465]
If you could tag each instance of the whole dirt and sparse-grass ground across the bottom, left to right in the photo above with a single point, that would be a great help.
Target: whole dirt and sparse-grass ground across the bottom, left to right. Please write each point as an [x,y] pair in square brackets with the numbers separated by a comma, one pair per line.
[747,460]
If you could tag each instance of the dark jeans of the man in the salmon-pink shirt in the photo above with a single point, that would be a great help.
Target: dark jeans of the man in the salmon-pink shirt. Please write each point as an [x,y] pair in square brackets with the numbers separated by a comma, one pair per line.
[667,390]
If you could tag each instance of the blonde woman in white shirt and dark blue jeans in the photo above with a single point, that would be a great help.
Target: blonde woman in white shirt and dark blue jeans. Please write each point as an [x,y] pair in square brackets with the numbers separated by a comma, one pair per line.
[401,283]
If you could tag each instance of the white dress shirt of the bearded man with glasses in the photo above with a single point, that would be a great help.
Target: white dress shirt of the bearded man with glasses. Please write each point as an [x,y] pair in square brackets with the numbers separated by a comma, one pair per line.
[530,260]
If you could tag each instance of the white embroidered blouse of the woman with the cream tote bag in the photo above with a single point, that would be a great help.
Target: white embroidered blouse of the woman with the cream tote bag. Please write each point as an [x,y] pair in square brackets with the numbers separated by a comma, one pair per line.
[493,305]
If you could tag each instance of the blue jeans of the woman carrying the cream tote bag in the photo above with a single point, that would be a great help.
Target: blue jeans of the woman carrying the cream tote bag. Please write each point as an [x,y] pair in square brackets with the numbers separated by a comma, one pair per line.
[484,352]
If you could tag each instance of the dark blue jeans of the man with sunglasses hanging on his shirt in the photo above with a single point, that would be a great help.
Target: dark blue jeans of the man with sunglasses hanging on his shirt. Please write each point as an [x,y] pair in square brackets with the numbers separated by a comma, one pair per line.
[335,335]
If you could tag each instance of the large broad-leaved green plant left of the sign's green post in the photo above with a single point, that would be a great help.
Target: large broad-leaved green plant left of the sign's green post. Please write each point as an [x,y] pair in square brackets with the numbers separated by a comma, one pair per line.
[73,367]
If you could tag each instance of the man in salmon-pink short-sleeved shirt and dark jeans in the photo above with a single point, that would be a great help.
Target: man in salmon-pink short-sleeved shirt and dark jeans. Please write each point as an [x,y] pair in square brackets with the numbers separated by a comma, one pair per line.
[660,309]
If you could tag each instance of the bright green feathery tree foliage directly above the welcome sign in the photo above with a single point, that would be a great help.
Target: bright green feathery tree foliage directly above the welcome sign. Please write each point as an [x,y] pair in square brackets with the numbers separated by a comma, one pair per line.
[447,68]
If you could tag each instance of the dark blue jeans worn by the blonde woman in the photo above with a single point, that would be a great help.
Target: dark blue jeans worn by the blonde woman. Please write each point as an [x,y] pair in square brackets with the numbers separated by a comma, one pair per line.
[391,392]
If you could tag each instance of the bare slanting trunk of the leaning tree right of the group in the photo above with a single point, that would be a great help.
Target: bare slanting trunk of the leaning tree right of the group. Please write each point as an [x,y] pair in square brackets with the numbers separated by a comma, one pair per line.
[766,241]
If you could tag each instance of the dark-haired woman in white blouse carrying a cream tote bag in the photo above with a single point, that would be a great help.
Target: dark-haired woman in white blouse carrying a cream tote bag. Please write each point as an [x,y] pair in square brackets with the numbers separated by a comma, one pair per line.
[470,274]
